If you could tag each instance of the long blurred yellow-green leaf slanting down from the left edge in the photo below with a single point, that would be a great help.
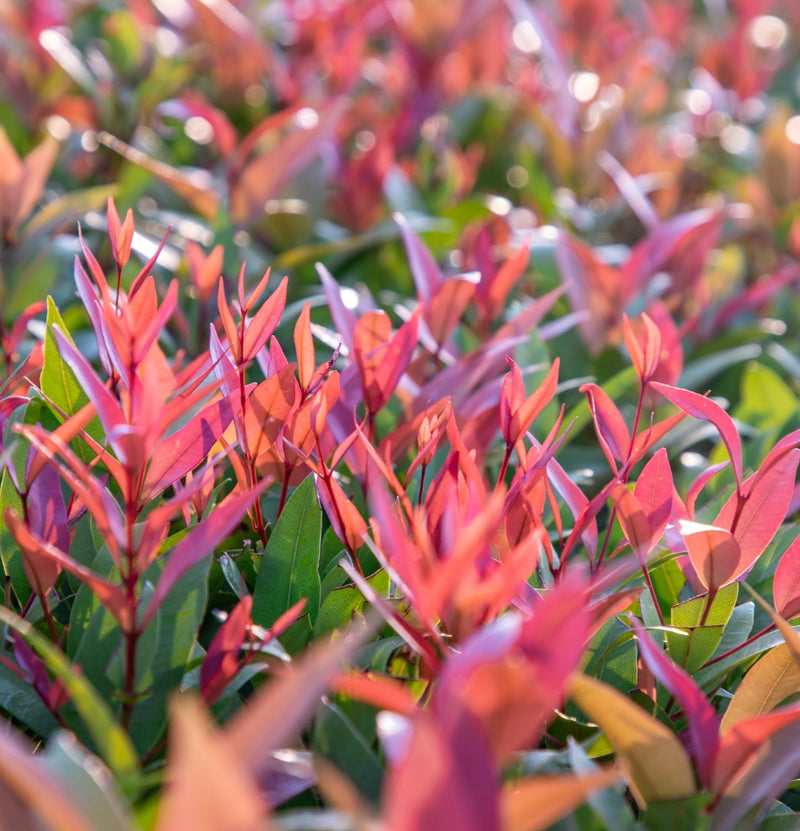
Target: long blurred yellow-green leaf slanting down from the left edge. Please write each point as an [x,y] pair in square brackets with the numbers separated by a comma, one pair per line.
[110,739]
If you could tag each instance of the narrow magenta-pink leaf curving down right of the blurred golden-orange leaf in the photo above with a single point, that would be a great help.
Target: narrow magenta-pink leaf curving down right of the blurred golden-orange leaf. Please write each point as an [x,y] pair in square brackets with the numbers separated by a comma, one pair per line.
[702,719]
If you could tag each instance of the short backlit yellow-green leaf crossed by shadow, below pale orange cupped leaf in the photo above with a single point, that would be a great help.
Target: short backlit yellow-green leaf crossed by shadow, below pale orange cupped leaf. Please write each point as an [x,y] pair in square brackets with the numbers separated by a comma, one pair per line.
[703,631]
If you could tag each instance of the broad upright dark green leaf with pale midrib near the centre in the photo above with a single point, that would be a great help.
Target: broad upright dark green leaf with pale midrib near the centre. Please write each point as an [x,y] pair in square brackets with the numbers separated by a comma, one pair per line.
[289,569]
